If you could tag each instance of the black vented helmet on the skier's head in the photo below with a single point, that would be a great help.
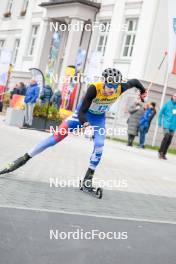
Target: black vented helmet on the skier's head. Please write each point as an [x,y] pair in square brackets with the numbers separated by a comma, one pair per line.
[112,75]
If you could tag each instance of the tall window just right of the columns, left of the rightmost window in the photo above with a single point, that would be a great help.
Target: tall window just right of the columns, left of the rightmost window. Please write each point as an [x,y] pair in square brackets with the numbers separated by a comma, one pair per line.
[104,27]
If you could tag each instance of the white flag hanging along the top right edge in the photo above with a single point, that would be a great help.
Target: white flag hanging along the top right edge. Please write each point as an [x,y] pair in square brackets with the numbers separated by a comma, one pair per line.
[172,35]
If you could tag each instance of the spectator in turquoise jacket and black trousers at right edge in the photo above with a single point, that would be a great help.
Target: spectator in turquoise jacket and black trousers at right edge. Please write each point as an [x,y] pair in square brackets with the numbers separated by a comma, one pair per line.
[167,120]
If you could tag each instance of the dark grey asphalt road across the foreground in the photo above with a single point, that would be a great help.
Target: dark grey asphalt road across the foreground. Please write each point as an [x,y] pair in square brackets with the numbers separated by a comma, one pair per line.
[25,238]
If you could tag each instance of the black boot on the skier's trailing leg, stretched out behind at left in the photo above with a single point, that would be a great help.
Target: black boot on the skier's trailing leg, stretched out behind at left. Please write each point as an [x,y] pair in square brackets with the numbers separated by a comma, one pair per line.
[12,166]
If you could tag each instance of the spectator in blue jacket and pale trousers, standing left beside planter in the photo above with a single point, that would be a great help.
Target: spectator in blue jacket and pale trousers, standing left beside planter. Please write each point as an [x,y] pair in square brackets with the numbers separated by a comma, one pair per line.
[31,97]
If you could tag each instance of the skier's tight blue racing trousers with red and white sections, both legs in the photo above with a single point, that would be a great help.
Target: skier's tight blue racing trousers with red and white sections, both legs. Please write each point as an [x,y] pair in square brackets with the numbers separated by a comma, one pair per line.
[96,121]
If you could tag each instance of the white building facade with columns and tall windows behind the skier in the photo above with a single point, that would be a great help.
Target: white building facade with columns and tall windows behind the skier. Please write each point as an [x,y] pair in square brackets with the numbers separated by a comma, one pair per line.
[131,35]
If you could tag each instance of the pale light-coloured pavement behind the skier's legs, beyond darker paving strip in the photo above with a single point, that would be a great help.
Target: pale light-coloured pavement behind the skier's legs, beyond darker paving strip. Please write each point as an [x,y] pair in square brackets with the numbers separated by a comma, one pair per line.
[141,169]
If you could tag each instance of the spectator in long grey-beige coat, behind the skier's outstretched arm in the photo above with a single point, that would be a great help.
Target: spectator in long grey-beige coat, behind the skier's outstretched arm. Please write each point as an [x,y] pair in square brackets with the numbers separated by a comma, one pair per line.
[135,111]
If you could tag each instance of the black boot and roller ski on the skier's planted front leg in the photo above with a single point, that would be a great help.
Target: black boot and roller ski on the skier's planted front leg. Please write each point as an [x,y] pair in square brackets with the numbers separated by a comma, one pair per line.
[86,185]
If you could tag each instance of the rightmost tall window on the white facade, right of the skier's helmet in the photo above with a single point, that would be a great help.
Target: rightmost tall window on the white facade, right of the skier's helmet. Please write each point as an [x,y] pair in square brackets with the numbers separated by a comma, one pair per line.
[129,38]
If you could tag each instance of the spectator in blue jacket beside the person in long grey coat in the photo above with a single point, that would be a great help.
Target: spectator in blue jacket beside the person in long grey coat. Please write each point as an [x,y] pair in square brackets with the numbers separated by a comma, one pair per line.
[145,122]
